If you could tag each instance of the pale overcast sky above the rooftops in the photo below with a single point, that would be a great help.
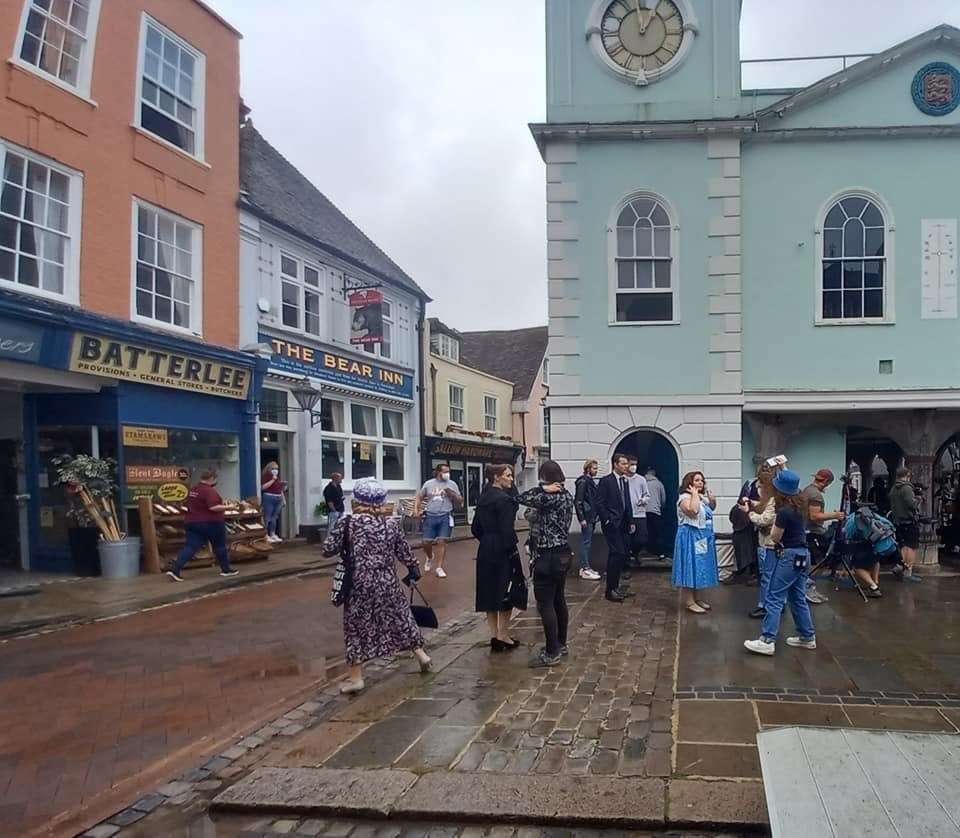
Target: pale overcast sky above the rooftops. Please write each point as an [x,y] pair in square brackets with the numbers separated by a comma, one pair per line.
[411,116]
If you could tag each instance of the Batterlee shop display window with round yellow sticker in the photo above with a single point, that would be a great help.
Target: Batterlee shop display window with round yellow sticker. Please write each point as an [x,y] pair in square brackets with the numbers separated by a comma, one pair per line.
[180,461]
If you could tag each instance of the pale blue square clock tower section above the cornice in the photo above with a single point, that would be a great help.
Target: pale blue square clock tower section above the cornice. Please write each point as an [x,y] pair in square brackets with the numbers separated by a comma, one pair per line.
[642,60]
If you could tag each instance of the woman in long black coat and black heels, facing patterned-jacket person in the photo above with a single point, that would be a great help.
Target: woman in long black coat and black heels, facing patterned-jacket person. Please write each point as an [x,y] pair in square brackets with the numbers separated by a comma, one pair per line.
[494,526]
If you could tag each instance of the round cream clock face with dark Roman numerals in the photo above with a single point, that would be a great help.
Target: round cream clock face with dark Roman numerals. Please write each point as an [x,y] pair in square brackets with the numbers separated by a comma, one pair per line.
[642,35]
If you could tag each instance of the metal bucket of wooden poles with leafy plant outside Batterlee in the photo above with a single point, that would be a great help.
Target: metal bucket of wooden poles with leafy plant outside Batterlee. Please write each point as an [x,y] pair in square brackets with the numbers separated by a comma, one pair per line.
[90,484]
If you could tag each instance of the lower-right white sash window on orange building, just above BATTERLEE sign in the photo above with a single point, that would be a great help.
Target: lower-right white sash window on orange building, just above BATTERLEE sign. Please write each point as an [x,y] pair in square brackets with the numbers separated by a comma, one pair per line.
[167,269]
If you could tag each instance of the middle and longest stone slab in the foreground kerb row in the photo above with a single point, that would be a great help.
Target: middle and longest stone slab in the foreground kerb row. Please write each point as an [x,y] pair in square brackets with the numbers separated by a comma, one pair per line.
[602,801]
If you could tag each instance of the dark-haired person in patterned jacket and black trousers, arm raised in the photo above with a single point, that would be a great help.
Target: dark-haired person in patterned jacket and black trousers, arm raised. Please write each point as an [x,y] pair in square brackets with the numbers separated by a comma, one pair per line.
[554,505]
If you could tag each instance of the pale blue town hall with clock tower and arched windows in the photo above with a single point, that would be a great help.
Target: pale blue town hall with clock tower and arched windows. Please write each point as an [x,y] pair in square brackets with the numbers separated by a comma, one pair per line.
[738,273]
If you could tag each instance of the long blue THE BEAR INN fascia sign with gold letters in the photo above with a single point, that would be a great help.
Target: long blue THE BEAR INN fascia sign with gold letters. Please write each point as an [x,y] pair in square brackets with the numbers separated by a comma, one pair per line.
[338,369]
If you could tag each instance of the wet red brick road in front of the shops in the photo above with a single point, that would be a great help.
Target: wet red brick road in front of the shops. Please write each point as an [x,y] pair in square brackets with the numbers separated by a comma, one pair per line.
[91,717]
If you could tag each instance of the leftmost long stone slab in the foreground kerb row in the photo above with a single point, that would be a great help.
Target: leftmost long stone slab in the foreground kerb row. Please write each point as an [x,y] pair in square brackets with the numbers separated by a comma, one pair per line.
[317,790]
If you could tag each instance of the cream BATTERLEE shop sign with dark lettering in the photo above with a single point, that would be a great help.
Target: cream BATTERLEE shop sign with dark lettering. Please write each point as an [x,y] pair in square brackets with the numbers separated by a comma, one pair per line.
[148,365]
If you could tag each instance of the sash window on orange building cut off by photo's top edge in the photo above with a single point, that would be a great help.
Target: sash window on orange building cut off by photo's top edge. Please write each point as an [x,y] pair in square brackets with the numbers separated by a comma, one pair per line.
[56,41]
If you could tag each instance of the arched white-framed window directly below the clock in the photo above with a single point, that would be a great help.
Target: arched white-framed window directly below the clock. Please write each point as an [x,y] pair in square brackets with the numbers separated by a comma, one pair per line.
[644,281]
